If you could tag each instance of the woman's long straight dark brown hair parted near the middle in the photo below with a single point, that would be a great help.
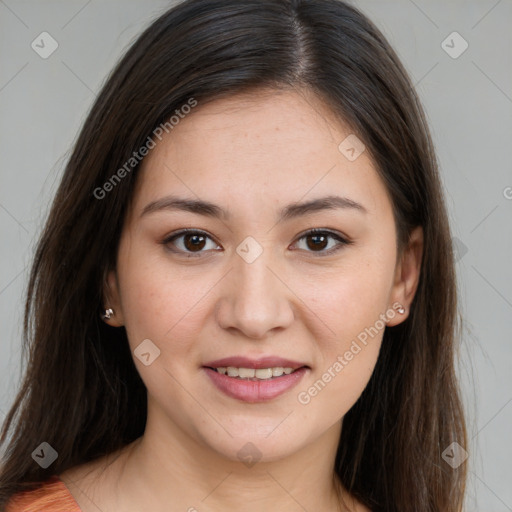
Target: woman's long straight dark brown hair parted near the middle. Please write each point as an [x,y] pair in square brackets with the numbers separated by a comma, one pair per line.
[81,392]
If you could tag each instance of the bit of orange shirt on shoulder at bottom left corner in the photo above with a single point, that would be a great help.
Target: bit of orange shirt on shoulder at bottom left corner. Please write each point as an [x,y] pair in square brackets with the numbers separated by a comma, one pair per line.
[52,496]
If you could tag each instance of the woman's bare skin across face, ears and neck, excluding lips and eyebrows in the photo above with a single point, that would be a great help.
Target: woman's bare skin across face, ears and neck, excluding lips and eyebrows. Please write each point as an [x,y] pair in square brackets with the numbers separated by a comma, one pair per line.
[252,155]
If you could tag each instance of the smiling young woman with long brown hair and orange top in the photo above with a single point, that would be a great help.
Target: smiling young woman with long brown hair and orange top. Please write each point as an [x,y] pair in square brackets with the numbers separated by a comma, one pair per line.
[244,295]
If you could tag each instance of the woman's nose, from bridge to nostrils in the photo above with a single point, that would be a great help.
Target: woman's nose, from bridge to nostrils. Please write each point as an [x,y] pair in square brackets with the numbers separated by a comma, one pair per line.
[255,300]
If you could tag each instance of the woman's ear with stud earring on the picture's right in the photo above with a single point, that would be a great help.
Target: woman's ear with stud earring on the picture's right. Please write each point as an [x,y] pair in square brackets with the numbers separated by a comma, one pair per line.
[407,275]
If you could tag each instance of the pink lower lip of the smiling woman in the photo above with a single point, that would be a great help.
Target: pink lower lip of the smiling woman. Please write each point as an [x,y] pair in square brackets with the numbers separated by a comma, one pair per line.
[252,390]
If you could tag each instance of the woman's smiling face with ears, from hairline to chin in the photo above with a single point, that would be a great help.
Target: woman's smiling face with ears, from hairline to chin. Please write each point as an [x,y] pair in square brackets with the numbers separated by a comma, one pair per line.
[248,282]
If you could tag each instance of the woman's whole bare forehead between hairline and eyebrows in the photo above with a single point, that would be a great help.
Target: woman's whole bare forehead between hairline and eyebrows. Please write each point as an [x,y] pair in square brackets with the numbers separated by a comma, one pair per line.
[259,149]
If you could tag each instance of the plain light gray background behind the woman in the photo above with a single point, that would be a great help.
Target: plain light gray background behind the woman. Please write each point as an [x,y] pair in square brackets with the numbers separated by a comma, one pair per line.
[469,105]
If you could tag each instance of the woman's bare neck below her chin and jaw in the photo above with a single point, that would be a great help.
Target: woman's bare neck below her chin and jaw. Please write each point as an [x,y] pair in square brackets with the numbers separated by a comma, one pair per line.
[166,467]
